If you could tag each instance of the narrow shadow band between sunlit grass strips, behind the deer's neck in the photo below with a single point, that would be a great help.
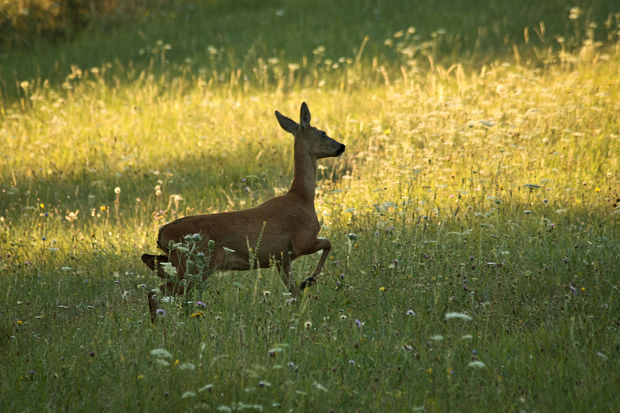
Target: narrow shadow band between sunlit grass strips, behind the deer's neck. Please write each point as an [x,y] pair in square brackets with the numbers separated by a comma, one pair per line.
[205,182]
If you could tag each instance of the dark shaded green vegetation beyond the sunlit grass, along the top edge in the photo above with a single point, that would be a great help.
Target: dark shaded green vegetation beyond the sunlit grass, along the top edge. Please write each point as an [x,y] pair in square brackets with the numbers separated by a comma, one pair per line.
[474,32]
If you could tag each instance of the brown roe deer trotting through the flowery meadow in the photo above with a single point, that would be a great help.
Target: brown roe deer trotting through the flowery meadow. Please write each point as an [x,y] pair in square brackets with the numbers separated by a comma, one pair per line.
[287,225]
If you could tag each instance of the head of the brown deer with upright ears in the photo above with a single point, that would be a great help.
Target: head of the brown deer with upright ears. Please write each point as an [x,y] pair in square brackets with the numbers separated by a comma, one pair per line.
[313,140]
